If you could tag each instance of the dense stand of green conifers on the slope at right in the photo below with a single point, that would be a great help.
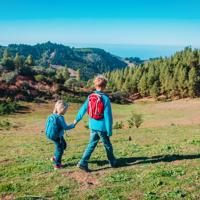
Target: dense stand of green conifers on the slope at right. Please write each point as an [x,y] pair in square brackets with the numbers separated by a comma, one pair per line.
[175,76]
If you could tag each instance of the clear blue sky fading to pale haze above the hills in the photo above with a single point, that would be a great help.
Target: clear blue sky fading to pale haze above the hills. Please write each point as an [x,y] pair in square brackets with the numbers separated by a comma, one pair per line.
[158,22]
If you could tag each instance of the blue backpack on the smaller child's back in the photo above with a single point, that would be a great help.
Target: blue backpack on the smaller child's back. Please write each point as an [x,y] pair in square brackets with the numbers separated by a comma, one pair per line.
[52,128]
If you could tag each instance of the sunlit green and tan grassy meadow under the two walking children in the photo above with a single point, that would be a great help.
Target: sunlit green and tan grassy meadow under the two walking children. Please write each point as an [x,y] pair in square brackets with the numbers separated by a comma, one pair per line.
[159,160]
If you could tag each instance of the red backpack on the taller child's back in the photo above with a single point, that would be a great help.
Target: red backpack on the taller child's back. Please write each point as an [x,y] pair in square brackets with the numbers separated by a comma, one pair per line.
[95,106]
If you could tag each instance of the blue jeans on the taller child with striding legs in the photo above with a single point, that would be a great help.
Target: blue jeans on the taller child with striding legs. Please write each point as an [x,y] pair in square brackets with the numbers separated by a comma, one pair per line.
[94,139]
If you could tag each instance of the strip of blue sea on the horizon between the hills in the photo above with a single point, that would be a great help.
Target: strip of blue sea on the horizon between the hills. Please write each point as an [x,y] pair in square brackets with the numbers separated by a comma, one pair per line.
[142,51]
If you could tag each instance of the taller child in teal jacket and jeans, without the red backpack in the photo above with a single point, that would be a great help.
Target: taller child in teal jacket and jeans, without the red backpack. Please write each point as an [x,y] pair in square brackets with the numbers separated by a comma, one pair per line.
[101,128]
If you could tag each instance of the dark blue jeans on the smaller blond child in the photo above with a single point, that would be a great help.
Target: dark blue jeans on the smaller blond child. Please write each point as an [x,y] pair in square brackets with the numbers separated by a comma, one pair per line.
[60,146]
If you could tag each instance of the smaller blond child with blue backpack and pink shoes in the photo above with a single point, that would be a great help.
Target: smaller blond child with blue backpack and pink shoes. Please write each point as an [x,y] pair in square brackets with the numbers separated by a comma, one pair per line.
[55,127]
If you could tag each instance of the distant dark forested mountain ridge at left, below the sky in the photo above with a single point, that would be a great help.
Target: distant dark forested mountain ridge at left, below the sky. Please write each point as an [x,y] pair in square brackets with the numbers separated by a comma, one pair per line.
[90,61]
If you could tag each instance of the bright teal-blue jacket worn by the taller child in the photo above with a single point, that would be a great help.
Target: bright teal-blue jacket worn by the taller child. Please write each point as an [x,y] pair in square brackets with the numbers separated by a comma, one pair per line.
[103,125]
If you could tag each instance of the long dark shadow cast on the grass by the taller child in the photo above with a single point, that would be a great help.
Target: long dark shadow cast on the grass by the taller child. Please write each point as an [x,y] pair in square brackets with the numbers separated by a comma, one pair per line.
[124,162]
